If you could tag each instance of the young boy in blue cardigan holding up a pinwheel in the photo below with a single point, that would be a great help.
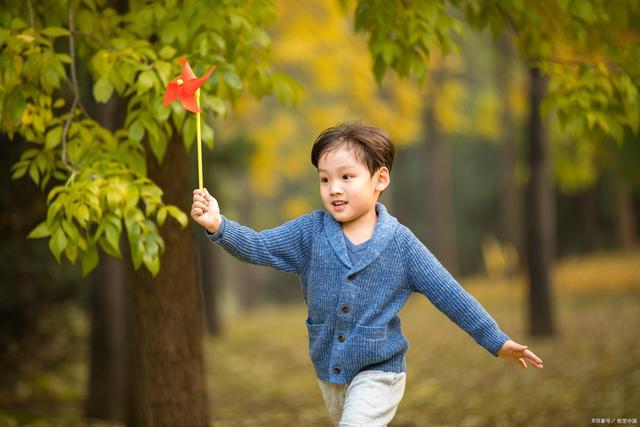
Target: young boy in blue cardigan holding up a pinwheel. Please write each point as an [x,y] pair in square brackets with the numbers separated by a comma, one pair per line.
[358,266]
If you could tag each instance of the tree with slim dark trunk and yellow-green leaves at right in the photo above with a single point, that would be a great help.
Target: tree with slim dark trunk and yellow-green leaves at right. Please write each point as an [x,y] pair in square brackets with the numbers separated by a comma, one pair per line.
[584,47]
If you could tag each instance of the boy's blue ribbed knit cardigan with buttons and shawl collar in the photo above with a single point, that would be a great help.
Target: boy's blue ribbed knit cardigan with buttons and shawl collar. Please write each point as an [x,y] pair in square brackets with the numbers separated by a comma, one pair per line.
[353,321]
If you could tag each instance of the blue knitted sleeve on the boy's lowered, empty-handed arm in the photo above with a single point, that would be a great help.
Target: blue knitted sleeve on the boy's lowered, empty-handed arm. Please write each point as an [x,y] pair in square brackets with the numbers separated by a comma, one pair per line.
[426,275]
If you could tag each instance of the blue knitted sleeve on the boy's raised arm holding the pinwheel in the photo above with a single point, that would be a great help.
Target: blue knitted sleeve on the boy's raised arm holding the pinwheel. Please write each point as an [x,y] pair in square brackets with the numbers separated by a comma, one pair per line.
[284,248]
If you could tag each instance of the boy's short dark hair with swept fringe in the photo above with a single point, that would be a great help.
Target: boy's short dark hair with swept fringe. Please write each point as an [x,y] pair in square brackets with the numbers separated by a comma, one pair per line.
[372,146]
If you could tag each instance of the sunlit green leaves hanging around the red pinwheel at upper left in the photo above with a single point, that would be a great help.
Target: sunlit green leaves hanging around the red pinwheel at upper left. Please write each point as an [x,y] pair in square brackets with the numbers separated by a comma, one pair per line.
[95,178]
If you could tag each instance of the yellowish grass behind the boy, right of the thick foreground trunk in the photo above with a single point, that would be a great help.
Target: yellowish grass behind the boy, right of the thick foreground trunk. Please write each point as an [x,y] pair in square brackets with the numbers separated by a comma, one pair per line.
[260,375]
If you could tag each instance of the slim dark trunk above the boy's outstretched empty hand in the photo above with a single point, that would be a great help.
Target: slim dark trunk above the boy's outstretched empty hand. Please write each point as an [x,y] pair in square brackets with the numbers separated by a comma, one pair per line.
[539,224]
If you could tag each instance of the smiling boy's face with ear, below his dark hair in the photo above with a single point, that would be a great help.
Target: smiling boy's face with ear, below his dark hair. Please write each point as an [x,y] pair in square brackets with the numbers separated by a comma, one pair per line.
[347,189]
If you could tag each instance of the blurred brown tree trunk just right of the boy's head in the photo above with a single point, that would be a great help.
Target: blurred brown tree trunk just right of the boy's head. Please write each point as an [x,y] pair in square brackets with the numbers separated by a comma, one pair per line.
[439,200]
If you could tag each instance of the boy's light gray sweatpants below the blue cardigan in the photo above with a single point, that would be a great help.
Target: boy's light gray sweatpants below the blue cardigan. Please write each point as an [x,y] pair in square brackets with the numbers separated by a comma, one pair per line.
[370,399]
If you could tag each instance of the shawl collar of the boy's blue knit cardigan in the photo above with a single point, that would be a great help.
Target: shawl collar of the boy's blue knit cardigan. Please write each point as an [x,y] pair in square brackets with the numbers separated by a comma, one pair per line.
[382,235]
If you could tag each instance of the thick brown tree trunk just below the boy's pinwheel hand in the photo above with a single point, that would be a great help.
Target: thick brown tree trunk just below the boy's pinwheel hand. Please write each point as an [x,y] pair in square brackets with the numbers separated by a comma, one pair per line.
[168,375]
